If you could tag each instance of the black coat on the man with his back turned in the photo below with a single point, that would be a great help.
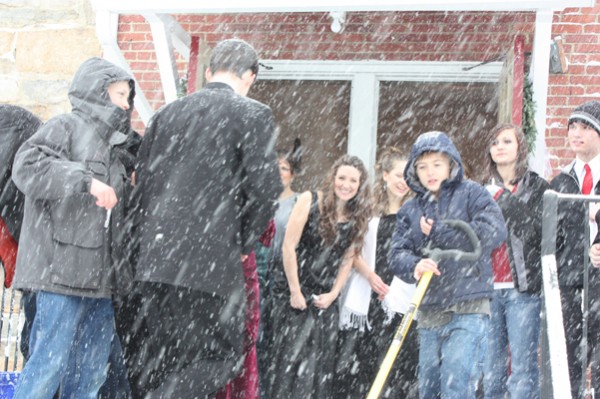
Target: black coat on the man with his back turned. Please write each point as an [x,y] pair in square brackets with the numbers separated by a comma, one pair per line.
[207,184]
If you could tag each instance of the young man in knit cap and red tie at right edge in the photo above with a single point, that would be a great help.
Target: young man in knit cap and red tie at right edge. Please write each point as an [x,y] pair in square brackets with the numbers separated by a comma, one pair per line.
[581,176]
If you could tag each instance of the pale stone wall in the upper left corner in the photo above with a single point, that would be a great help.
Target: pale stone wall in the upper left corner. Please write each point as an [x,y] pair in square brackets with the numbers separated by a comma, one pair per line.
[42,43]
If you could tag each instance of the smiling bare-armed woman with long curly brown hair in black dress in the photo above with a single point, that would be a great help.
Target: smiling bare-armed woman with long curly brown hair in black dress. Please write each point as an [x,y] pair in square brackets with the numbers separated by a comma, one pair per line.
[325,231]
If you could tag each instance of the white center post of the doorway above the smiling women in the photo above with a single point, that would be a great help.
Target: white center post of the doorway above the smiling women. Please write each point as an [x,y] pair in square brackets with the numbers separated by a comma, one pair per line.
[364,102]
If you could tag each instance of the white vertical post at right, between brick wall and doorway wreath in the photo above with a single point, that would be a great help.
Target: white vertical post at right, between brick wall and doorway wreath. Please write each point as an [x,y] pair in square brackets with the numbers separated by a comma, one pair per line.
[539,75]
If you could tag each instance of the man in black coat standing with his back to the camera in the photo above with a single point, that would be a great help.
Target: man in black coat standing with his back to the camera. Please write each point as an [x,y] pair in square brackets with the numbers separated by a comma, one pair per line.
[207,186]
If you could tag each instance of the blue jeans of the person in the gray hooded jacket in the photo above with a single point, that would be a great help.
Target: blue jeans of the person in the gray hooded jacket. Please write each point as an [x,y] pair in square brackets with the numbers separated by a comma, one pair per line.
[70,343]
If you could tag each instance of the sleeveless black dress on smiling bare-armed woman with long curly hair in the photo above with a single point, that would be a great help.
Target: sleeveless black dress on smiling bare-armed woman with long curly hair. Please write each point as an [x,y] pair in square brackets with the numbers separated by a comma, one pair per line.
[303,348]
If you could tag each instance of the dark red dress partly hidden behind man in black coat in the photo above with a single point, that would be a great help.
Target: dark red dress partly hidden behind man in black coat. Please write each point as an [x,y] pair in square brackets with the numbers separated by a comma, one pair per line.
[245,386]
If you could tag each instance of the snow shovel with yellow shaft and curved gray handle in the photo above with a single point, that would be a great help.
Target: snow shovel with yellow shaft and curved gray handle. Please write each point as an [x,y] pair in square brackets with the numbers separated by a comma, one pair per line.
[437,255]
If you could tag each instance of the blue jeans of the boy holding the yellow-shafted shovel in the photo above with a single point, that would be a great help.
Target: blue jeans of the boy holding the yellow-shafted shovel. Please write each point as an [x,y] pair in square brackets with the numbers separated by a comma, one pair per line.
[449,355]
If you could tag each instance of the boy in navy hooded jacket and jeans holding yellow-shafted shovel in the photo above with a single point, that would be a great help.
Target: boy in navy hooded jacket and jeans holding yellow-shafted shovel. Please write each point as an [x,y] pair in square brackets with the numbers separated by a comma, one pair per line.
[454,314]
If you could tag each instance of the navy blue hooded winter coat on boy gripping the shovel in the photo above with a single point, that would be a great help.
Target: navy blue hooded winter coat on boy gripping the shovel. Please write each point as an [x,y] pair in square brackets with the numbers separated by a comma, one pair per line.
[458,198]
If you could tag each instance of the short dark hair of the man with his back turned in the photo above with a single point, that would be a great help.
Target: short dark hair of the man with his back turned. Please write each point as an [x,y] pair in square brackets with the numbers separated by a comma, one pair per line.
[235,56]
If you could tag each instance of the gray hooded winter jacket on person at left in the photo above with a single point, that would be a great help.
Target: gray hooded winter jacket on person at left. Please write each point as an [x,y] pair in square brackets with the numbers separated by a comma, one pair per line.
[66,242]
